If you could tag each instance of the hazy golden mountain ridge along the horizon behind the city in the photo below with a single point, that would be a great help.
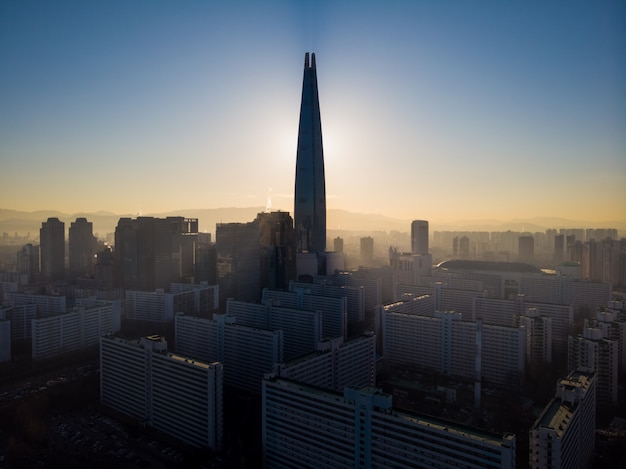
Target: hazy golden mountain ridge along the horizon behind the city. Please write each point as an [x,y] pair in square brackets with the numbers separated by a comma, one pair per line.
[12,221]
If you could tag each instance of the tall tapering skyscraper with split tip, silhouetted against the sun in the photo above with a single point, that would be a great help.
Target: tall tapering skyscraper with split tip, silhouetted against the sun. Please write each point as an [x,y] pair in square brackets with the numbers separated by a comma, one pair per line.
[310,187]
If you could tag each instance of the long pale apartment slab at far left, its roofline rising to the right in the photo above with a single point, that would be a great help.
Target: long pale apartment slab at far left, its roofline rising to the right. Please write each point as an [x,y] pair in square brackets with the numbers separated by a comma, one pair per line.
[55,335]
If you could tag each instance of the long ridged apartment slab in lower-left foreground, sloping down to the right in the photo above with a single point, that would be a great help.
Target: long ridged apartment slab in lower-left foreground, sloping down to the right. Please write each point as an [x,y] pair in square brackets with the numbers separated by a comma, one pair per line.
[174,394]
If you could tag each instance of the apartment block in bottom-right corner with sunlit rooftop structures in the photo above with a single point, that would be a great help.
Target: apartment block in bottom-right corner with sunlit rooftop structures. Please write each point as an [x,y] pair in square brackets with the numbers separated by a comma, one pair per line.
[563,434]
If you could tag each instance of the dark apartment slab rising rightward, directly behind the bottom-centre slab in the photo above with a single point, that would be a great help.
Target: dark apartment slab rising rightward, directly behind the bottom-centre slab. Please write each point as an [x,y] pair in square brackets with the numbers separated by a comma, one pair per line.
[335,365]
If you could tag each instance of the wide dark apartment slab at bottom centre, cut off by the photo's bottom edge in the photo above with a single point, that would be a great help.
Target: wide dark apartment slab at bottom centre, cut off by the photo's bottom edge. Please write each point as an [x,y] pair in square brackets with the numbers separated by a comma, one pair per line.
[308,427]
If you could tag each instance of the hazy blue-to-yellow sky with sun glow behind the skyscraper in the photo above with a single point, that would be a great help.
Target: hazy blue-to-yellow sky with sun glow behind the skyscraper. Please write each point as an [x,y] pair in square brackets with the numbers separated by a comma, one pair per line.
[431,110]
